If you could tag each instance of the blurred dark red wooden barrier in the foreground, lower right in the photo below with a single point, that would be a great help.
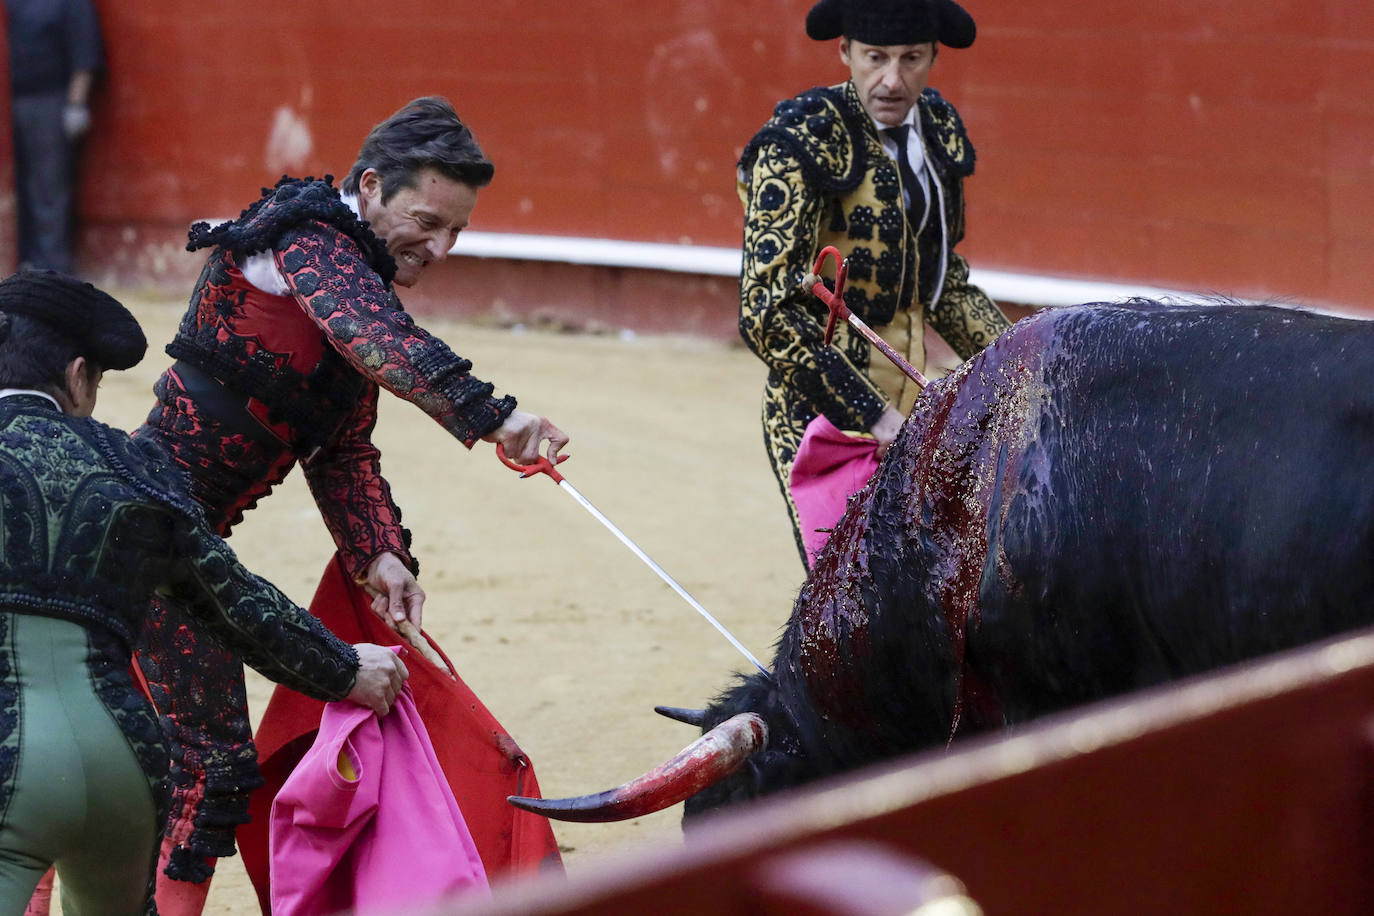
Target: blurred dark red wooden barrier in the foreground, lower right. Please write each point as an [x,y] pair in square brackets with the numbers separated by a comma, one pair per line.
[1244,793]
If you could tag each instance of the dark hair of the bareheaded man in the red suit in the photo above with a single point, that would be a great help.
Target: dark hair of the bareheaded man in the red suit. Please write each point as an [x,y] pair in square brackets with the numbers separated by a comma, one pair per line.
[427,134]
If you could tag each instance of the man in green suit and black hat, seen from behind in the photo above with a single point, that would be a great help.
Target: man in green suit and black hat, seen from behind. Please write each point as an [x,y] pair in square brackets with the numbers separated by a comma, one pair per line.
[93,525]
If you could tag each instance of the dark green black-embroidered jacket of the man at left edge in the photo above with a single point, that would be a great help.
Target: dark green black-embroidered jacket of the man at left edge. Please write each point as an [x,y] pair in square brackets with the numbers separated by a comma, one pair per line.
[93,525]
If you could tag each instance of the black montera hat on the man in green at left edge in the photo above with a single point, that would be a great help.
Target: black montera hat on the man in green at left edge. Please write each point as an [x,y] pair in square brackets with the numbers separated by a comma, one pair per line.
[105,332]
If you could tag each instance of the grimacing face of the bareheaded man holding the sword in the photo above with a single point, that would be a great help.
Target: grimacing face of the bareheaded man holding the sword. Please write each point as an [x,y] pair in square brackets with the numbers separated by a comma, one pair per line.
[420,225]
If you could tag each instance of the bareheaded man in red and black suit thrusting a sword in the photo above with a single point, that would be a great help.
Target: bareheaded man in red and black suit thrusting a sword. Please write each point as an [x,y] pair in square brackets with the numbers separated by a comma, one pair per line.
[293,329]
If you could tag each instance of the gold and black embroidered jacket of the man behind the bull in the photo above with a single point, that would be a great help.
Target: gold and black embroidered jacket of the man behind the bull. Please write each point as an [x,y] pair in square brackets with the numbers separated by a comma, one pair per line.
[817,175]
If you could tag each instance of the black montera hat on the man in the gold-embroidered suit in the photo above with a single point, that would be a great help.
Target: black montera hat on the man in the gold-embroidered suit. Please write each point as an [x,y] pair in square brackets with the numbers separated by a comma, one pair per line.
[892,23]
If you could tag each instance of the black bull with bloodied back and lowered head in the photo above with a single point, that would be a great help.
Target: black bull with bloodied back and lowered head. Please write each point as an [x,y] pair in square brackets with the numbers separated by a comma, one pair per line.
[1108,498]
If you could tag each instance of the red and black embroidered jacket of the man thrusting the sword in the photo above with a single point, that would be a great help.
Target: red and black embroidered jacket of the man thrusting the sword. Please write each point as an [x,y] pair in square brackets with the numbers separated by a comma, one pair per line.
[267,381]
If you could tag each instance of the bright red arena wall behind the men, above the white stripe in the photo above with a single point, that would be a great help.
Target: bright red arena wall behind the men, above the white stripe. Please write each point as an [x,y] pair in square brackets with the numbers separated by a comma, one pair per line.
[1221,146]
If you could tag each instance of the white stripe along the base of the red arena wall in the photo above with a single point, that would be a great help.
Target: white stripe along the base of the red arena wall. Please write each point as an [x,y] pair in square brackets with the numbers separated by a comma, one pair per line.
[1026,289]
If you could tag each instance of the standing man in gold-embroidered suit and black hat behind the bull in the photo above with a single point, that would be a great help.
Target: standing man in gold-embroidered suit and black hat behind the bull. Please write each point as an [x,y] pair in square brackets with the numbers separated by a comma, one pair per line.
[876,168]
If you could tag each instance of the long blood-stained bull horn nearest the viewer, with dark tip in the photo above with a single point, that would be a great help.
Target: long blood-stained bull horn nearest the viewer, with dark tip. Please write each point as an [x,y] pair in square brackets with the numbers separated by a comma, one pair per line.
[706,762]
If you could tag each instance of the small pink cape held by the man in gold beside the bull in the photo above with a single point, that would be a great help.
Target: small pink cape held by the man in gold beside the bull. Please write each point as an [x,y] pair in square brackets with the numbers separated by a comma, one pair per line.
[831,468]
